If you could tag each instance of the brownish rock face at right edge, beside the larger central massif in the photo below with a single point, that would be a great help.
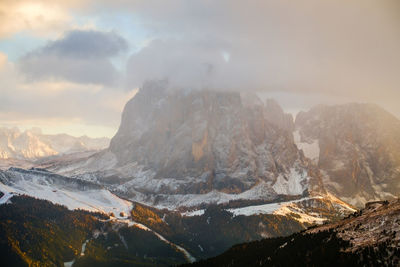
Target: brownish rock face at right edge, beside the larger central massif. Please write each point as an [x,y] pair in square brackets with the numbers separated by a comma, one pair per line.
[358,150]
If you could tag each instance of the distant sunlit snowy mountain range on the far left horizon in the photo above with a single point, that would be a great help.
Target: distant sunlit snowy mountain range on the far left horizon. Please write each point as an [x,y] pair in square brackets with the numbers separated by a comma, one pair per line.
[32,144]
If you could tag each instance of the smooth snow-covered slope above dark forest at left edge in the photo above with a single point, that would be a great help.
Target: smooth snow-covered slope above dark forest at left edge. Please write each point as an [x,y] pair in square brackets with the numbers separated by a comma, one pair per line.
[62,190]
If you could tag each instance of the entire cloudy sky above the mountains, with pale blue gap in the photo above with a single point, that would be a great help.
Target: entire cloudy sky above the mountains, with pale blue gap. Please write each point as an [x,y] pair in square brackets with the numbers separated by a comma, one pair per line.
[70,66]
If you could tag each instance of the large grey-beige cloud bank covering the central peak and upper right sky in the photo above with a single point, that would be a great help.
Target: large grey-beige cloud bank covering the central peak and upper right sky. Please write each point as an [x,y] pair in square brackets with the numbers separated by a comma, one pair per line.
[346,49]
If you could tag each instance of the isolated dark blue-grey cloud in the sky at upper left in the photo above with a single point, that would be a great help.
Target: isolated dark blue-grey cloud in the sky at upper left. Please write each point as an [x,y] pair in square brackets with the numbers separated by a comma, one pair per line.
[79,56]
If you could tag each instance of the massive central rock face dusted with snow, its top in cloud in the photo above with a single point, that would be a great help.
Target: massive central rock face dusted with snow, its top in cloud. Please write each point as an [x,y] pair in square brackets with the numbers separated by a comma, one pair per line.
[202,141]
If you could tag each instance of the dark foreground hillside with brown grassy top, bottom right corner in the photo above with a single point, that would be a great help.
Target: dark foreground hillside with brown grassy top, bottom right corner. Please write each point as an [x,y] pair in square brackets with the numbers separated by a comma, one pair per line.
[370,237]
